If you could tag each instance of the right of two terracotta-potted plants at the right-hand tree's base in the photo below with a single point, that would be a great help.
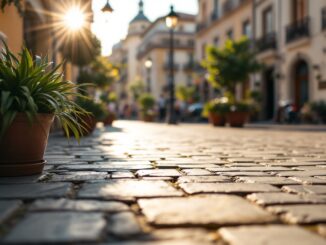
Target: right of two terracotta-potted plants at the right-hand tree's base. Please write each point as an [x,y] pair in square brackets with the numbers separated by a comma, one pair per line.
[239,114]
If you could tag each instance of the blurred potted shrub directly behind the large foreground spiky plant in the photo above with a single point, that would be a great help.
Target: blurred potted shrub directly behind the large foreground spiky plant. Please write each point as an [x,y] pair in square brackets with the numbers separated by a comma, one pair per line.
[97,111]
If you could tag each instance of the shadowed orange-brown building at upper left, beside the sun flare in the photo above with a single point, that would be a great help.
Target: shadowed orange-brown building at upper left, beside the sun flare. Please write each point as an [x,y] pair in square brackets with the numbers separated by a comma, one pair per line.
[39,28]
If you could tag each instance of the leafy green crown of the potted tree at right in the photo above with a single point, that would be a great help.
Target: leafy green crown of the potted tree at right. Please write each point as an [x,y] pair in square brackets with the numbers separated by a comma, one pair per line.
[231,64]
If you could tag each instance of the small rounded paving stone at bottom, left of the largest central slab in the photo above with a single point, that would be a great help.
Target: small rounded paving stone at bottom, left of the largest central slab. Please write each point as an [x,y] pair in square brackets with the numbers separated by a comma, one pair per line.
[124,225]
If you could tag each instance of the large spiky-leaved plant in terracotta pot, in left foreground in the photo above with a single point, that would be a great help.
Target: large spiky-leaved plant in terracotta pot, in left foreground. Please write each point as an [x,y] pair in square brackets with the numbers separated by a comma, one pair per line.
[32,94]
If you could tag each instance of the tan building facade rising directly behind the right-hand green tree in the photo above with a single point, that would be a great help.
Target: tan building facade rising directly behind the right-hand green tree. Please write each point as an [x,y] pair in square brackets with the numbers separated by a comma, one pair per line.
[218,21]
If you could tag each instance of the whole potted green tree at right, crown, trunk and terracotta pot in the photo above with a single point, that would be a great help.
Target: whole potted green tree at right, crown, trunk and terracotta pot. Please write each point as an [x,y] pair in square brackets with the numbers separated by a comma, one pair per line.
[229,66]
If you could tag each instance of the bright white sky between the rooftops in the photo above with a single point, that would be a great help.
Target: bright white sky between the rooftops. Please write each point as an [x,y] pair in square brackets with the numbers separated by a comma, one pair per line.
[112,28]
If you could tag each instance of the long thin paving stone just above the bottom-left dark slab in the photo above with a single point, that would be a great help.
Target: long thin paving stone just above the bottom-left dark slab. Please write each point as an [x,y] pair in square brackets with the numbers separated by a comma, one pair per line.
[77,205]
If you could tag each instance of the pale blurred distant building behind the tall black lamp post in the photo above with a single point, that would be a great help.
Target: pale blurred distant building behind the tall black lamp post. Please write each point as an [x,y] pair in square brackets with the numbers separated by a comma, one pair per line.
[155,46]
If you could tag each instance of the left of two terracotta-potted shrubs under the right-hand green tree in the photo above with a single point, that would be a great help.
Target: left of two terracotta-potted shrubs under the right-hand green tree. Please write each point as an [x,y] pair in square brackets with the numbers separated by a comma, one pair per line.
[216,111]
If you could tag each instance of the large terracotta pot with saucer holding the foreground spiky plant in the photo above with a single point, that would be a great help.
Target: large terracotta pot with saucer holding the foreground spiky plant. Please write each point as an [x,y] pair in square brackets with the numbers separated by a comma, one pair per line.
[23,145]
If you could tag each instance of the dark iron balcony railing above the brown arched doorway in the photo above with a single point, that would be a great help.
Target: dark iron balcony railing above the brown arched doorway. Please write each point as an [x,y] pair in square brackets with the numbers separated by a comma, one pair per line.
[298,30]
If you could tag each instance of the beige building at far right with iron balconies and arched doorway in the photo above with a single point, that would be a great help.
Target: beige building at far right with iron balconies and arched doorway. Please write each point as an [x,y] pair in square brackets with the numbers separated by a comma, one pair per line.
[291,39]
